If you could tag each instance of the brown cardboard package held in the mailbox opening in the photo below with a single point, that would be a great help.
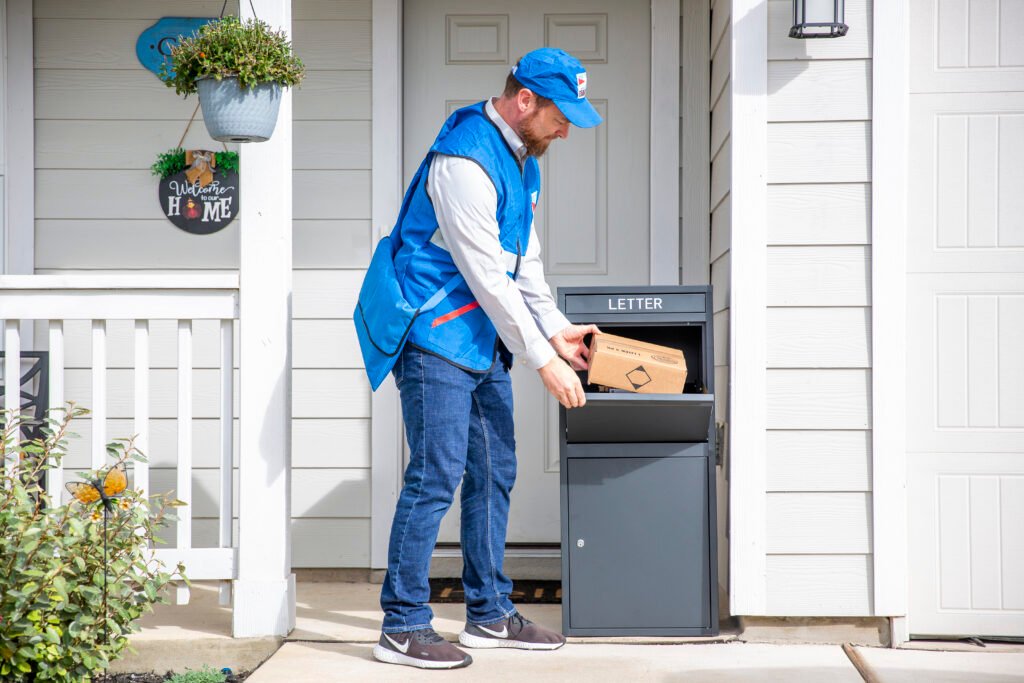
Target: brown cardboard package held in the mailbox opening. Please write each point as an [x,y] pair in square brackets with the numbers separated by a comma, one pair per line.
[635,366]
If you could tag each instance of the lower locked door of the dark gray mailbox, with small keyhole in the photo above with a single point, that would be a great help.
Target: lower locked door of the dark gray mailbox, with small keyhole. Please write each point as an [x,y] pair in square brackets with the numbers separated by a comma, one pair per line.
[638,542]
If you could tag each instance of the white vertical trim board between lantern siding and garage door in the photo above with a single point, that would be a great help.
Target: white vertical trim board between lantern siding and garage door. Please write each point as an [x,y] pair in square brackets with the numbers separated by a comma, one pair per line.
[889,176]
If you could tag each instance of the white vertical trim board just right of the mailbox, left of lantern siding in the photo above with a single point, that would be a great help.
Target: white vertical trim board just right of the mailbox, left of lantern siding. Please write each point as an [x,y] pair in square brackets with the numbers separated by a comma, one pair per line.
[748,376]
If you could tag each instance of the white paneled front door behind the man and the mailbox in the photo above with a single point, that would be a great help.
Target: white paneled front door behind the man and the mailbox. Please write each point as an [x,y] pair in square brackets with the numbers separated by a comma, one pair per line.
[592,218]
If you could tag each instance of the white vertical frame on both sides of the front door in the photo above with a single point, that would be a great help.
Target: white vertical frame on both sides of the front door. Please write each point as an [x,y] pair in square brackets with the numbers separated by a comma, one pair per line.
[387,175]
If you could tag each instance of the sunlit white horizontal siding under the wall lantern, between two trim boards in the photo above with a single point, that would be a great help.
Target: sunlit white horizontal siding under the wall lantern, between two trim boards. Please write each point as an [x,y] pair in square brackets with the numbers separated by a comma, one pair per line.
[819,325]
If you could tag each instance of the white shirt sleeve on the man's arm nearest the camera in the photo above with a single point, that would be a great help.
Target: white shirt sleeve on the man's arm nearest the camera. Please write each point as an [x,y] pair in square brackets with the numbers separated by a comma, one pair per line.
[466,204]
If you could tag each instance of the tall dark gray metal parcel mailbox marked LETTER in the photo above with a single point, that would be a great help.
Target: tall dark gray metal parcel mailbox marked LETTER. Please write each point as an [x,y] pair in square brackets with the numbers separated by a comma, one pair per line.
[637,480]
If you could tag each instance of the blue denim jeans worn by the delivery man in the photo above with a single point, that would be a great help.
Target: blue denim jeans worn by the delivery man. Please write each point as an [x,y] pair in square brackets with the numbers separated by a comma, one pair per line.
[459,426]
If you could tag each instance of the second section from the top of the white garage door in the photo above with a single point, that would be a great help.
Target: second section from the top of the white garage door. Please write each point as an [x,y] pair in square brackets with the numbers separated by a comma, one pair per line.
[967,205]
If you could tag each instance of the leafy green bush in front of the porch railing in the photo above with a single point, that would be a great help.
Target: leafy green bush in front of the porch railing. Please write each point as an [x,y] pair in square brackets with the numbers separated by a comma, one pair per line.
[53,623]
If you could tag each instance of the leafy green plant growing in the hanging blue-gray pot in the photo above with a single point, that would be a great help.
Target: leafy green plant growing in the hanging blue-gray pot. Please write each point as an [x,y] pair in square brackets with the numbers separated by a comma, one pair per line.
[248,51]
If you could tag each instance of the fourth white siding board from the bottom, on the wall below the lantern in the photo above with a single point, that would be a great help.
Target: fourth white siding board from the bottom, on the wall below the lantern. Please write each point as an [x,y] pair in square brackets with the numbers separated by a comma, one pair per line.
[819,399]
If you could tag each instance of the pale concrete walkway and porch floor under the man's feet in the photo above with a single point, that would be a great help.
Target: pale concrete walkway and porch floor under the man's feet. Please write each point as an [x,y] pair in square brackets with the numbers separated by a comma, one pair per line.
[337,625]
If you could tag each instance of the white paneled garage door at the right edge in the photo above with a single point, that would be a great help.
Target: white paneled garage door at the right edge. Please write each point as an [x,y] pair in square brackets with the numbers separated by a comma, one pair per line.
[966,320]
